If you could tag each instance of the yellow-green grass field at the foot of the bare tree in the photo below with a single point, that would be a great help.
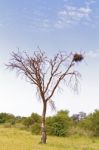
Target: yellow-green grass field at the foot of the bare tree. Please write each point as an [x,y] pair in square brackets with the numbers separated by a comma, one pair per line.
[15,139]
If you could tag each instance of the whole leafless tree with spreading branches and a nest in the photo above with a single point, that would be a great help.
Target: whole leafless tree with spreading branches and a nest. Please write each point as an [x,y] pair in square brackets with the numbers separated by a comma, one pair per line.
[46,74]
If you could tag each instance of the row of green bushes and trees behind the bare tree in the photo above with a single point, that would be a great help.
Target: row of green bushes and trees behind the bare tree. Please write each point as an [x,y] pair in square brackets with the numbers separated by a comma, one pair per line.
[60,124]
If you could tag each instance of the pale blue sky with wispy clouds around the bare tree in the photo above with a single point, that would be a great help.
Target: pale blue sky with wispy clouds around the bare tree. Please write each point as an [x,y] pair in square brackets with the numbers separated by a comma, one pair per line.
[53,25]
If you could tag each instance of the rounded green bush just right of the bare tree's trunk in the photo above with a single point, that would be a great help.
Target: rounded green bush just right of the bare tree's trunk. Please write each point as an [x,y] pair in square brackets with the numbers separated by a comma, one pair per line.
[58,125]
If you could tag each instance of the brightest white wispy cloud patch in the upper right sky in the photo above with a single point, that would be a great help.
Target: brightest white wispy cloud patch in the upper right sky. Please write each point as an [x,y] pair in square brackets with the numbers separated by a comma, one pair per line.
[72,15]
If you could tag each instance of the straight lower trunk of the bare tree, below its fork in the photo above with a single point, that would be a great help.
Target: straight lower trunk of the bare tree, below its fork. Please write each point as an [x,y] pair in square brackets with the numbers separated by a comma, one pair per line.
[43,127]
